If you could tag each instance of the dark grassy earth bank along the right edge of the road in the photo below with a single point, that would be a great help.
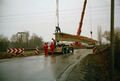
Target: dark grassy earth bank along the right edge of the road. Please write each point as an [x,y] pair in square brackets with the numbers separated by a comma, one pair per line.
[94,67]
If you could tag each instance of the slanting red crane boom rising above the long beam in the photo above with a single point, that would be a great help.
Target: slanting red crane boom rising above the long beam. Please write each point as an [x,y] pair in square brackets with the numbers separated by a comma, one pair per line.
[82,16]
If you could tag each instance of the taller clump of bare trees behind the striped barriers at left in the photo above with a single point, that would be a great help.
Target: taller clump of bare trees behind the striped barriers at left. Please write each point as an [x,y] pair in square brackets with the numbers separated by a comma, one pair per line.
[22,39]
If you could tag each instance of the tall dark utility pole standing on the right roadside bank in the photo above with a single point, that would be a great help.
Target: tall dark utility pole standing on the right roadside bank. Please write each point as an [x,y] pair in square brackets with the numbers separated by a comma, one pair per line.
[112,37]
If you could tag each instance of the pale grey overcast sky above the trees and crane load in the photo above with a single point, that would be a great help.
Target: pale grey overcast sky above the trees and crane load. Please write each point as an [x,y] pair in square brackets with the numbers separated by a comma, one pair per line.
[39,16]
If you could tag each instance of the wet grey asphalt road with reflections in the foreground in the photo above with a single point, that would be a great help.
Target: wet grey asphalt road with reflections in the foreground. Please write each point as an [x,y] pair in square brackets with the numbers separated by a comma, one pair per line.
[39,68]
